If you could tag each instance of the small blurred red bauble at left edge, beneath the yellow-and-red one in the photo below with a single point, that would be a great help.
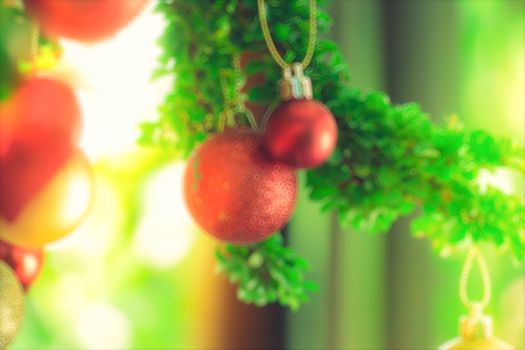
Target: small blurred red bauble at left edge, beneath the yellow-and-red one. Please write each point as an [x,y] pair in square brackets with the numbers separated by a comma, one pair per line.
[26,263]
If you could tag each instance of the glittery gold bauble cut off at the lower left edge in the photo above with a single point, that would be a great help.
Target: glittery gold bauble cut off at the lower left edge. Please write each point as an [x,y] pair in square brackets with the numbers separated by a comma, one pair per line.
[11,305]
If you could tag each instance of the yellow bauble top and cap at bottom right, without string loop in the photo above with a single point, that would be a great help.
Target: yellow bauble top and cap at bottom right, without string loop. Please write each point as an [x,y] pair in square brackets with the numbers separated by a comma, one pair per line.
[476,333]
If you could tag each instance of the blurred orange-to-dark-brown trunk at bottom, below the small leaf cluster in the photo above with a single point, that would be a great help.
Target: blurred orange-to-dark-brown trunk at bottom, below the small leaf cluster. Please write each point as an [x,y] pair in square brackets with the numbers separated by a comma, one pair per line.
[223,322]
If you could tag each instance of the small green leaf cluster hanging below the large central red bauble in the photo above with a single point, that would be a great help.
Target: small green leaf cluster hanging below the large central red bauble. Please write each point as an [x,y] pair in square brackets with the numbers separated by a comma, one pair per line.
[266,272]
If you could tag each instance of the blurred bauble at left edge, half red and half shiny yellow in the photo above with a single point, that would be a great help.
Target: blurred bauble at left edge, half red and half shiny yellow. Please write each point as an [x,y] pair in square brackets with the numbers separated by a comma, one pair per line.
[49,212]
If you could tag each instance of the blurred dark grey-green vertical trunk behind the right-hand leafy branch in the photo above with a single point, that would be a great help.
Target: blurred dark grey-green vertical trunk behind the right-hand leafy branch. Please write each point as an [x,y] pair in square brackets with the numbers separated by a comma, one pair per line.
[421,65]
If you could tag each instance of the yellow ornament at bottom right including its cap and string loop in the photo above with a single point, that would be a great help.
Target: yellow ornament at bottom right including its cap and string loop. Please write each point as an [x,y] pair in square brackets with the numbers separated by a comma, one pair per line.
[475,330]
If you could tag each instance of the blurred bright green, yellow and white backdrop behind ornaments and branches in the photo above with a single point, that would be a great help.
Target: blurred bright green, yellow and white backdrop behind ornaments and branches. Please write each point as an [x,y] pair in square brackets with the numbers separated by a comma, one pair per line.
[138,275]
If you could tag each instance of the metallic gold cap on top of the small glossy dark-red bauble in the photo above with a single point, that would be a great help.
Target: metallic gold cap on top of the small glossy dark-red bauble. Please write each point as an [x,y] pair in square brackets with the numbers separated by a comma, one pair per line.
[294,84]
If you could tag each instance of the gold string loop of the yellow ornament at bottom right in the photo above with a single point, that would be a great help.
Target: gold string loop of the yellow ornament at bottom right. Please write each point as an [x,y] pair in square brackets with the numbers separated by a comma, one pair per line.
[474,253]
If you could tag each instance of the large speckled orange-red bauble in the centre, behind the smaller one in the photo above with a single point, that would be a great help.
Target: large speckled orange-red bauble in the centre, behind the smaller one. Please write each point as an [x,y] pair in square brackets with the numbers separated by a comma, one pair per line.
[234,193]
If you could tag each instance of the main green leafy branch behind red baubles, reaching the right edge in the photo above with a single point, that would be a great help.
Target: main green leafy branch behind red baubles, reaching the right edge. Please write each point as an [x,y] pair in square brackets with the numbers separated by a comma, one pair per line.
[391,160]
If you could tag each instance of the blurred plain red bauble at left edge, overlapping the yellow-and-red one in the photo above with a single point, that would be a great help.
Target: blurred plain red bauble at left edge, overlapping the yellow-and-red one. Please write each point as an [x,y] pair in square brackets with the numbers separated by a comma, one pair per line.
[39,126]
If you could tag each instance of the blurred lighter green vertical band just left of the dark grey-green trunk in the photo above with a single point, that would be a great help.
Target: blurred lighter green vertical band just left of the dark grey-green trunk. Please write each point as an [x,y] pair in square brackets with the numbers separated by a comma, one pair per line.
[357,286]
